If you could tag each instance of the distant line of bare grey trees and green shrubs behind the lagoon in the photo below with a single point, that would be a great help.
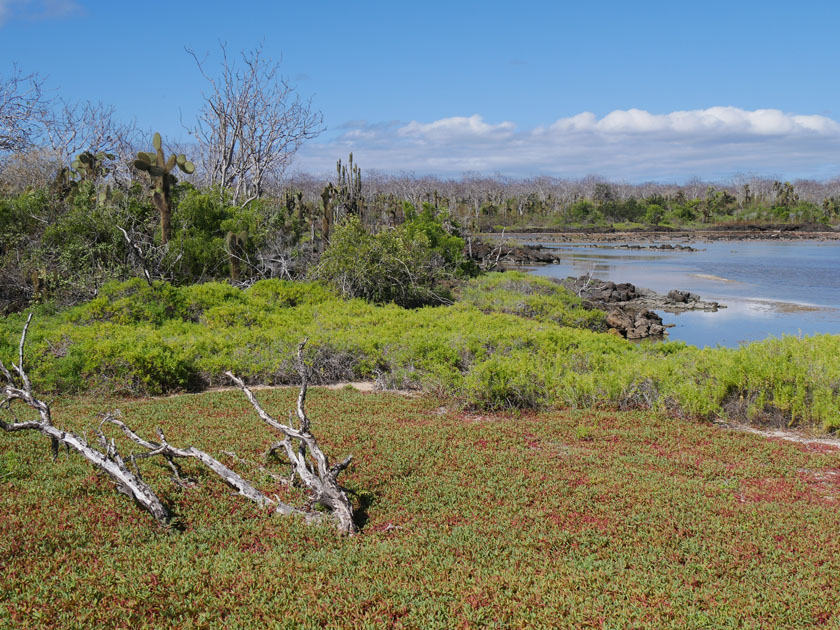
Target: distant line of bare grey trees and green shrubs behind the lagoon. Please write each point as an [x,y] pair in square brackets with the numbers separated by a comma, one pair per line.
[487,203]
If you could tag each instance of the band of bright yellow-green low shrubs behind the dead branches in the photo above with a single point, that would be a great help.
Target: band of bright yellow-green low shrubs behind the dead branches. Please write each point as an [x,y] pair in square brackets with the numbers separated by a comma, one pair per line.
[506,344]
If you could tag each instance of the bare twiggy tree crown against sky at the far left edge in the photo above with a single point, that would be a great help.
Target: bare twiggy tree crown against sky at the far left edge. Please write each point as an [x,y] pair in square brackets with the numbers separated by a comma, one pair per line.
[23,106]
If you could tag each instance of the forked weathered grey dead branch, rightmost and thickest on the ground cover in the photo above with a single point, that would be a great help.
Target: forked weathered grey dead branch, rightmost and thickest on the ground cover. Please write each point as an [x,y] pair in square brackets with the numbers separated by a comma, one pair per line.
[309,462]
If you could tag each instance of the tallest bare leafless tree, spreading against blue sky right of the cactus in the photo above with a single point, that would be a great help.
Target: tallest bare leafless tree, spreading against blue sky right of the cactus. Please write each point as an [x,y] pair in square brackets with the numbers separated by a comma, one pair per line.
[251,125]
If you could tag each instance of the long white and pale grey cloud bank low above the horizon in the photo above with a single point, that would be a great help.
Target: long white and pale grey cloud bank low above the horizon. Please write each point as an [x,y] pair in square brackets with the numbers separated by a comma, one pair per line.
[632,144]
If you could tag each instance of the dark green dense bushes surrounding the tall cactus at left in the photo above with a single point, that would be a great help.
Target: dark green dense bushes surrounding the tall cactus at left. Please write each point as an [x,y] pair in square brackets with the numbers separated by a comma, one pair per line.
[64,247]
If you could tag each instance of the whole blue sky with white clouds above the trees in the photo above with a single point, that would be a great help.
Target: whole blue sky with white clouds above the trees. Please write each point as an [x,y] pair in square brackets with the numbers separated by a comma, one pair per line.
[630,91]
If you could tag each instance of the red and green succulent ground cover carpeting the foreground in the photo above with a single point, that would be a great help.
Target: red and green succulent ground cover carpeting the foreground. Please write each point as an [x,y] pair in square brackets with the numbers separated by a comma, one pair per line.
[561,519]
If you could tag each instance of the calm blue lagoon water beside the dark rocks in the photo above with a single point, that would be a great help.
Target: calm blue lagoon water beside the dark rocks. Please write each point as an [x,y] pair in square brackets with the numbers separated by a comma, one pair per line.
[770,287]
